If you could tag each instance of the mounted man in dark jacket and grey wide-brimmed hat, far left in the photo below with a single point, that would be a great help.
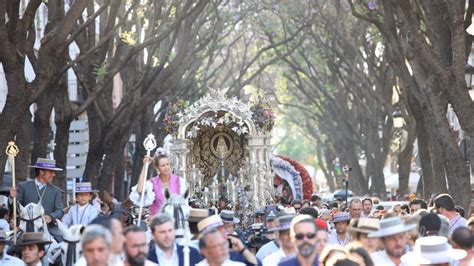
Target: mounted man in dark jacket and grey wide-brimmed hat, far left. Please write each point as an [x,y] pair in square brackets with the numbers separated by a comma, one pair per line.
[41,191]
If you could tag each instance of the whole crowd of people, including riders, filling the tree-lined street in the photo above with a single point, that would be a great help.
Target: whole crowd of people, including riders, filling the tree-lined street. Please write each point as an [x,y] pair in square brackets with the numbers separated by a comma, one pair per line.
[311,232]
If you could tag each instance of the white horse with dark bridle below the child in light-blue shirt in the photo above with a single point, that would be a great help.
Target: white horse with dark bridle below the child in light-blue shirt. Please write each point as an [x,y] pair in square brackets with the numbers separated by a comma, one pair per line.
[69,250]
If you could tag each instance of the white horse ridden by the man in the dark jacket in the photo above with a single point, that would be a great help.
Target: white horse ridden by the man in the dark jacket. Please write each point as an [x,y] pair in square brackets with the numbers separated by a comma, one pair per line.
[32,220]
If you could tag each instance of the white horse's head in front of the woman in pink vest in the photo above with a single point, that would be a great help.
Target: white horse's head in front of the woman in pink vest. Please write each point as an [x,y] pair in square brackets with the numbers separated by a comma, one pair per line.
[177,207]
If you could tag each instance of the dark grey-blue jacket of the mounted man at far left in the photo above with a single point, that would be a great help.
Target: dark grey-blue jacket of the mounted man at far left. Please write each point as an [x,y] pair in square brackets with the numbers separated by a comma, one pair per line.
[51,202]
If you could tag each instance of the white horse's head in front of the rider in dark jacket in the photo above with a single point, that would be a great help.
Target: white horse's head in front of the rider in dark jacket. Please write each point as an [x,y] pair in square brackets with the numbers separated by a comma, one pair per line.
[31,218]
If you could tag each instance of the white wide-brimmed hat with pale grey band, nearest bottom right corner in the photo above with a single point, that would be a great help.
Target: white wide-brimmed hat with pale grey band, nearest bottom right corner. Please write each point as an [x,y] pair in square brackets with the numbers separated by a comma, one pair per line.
[432,250]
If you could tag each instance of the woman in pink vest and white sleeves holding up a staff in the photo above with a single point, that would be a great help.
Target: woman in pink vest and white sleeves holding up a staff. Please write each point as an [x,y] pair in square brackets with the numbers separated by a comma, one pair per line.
[155,187]
